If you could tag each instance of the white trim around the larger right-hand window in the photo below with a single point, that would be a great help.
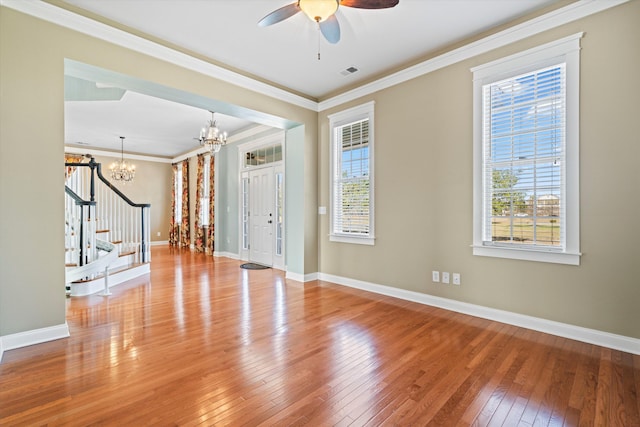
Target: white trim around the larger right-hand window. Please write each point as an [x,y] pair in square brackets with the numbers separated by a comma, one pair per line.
[565,50]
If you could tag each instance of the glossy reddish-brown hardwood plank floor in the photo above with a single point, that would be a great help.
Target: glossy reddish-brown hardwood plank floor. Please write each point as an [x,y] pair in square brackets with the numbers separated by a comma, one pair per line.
[202,342]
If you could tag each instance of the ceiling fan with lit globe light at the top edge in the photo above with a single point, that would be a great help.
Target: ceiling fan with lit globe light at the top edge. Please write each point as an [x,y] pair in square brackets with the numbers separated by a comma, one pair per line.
[323,13]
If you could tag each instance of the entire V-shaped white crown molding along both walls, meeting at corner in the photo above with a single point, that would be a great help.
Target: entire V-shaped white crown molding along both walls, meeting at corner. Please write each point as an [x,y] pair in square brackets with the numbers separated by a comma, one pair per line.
[553,19]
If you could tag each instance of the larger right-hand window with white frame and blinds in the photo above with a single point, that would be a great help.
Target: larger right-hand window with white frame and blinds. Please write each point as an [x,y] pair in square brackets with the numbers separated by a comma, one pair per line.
[526,155]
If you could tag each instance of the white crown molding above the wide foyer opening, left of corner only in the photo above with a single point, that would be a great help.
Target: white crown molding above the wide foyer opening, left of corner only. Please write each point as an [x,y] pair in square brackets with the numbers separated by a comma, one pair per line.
[75,22]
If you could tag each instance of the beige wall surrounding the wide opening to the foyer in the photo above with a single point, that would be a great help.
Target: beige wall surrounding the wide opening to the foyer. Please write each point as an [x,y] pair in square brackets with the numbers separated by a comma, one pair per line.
[32,210]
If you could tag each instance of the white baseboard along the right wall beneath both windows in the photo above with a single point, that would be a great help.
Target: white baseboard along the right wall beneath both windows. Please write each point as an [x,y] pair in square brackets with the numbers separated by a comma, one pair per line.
[591,336]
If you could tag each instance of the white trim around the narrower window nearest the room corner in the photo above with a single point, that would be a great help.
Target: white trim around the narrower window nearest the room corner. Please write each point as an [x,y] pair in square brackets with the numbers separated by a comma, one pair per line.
[364,111]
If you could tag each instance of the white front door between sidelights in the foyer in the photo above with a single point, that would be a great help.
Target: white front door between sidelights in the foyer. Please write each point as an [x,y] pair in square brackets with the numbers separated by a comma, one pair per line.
[261,216]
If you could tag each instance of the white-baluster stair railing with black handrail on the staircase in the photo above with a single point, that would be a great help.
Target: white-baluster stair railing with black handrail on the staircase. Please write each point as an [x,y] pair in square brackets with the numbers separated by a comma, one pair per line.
[128,222]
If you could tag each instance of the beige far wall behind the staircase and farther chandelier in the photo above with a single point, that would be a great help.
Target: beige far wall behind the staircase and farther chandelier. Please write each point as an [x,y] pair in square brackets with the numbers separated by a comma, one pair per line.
[152,185]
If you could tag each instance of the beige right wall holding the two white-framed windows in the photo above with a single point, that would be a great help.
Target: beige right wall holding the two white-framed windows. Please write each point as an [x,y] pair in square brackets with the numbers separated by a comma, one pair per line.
[423,190]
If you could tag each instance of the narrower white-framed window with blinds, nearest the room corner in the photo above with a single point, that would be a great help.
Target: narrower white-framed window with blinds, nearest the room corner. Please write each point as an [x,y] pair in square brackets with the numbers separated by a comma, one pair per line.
[352,175]
